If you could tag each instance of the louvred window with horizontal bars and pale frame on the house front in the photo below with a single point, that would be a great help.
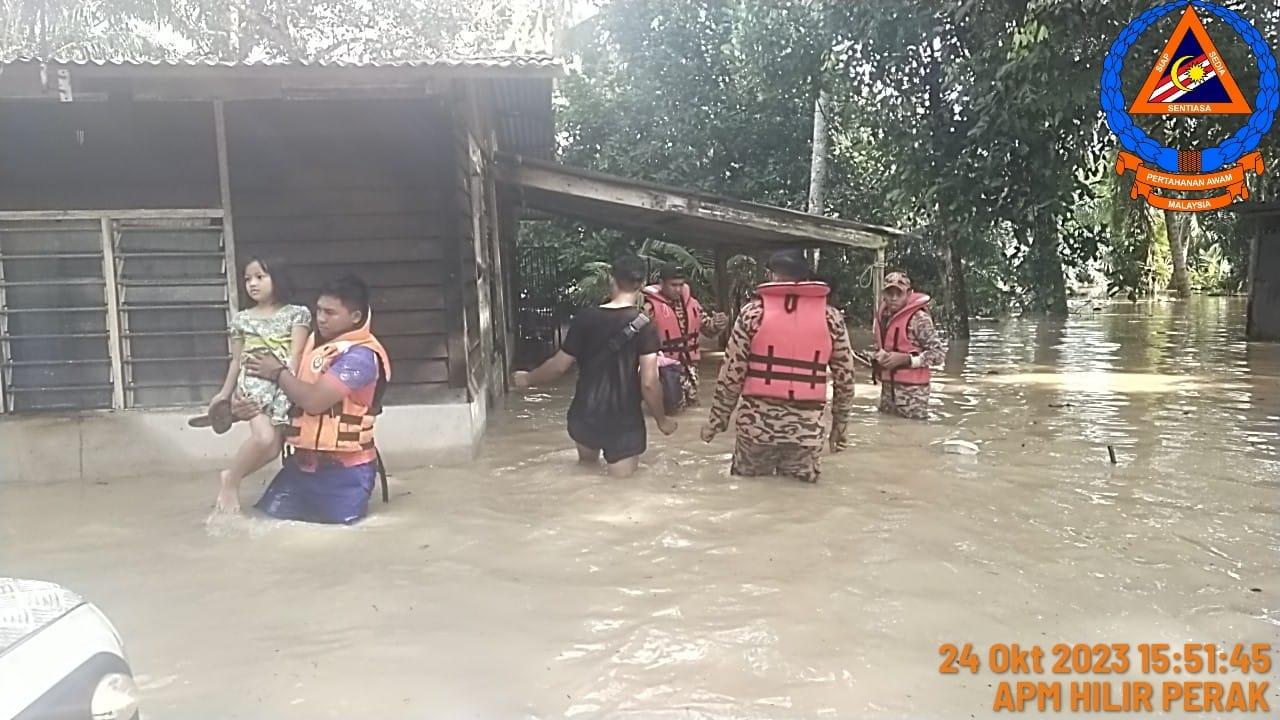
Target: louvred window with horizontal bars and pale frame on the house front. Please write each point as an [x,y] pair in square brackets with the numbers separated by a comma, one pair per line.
[125,309]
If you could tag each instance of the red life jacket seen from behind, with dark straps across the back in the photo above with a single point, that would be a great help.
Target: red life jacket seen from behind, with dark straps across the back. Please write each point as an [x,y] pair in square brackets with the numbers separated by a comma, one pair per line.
[790,352]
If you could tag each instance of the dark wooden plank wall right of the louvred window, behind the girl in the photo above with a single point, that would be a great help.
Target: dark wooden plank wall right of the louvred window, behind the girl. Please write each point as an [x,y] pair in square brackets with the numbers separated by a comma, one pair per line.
[335,188]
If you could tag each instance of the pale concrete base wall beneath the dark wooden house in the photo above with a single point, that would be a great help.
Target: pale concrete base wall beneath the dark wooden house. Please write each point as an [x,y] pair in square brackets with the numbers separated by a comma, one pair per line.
[120,446]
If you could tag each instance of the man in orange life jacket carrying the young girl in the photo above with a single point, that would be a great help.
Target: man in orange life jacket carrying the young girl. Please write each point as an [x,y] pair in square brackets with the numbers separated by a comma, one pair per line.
[337,395]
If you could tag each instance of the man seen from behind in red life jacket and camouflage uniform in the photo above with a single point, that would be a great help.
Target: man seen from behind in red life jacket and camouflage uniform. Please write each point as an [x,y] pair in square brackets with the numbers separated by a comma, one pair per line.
[788,347]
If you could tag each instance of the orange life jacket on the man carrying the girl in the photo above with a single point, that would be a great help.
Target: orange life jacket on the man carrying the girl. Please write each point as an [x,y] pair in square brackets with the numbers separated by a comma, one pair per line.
[349,426]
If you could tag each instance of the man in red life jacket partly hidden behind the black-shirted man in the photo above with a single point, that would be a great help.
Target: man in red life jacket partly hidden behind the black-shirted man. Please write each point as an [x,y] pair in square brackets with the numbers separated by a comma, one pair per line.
[680,321]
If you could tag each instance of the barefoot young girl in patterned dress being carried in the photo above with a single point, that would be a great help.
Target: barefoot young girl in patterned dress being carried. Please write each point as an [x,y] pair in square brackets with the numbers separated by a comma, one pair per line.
[271,326]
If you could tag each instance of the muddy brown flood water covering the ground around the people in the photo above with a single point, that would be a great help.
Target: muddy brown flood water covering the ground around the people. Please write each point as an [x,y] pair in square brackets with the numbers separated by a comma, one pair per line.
[524,587]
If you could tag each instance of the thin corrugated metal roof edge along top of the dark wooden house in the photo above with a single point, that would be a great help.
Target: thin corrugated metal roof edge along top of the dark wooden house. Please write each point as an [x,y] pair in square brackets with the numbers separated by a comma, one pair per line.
[495,63]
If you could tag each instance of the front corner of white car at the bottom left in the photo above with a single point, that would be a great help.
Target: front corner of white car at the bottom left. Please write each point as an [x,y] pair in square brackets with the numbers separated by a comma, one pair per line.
[61,659]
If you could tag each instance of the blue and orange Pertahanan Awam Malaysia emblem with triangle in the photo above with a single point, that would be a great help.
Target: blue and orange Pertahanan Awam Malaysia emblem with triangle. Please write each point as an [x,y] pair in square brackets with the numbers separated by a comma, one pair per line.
[1191,79]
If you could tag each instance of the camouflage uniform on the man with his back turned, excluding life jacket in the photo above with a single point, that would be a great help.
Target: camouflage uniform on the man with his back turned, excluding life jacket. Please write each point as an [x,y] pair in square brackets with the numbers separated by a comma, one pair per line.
[776,436]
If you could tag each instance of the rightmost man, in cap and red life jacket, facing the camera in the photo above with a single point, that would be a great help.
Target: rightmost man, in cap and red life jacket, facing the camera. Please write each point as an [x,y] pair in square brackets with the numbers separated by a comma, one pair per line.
[907,347]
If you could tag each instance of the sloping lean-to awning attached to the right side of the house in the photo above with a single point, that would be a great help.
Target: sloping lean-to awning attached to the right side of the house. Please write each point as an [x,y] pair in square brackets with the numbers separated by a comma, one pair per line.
[685,216]
